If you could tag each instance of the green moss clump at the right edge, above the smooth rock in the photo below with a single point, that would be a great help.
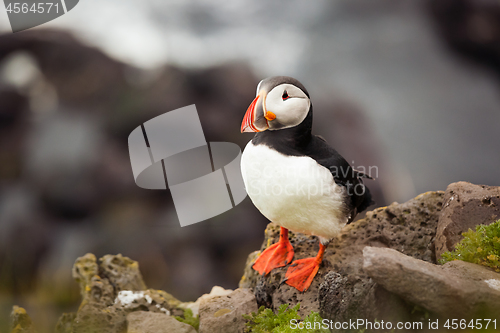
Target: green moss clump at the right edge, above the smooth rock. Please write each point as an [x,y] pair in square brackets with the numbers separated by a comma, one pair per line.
[479,247]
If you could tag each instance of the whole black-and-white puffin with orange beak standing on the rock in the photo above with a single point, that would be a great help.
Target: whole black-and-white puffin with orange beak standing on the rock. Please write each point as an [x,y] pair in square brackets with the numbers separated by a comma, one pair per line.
[296,179]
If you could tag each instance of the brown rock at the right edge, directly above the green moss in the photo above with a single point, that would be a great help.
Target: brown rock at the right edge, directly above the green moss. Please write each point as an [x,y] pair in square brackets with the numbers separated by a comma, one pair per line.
[465,206]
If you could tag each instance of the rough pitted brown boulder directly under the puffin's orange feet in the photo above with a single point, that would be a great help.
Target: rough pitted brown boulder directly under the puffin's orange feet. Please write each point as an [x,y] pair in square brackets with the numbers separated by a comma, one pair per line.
[341,289]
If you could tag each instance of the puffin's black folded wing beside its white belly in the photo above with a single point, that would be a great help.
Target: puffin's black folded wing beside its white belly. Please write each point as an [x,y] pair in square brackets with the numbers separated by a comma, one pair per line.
[343,174]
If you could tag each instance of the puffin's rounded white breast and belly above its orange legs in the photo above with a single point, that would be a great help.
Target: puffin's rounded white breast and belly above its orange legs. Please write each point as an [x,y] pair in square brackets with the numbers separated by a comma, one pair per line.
[293,191]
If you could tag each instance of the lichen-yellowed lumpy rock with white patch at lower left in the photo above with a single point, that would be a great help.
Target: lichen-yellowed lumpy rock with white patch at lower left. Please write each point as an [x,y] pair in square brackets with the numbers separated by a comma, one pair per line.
[111,289]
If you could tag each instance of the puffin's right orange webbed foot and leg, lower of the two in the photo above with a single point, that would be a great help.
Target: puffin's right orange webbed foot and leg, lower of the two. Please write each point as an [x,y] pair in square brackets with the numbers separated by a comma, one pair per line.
[301,272]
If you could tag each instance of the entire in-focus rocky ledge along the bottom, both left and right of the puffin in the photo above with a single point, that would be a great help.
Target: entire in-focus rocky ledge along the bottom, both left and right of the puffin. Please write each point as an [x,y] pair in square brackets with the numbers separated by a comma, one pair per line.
[382,267]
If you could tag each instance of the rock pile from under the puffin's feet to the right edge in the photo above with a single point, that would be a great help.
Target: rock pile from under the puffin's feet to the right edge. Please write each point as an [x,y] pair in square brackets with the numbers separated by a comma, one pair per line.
[384,267]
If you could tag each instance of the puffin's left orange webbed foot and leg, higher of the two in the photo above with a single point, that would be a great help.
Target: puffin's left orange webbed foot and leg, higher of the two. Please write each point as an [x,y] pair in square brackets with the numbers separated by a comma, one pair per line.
[276,255]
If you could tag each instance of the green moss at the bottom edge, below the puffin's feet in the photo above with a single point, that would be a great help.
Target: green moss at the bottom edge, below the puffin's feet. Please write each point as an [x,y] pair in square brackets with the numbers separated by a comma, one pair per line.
[266,321]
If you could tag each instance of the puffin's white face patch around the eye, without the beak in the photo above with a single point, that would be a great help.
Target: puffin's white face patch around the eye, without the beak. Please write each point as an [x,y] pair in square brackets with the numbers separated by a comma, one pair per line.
[290,105]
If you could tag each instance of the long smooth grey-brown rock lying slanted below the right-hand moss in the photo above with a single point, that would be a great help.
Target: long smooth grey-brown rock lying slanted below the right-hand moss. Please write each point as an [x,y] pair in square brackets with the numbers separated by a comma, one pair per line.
[457,289]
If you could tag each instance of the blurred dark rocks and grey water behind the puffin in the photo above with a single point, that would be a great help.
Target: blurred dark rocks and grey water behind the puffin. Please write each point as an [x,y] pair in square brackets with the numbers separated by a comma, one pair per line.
[409,87]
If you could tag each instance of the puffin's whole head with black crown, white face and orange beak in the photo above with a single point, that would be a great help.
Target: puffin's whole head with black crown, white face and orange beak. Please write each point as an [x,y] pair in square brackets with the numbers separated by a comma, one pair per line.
[281,102]
